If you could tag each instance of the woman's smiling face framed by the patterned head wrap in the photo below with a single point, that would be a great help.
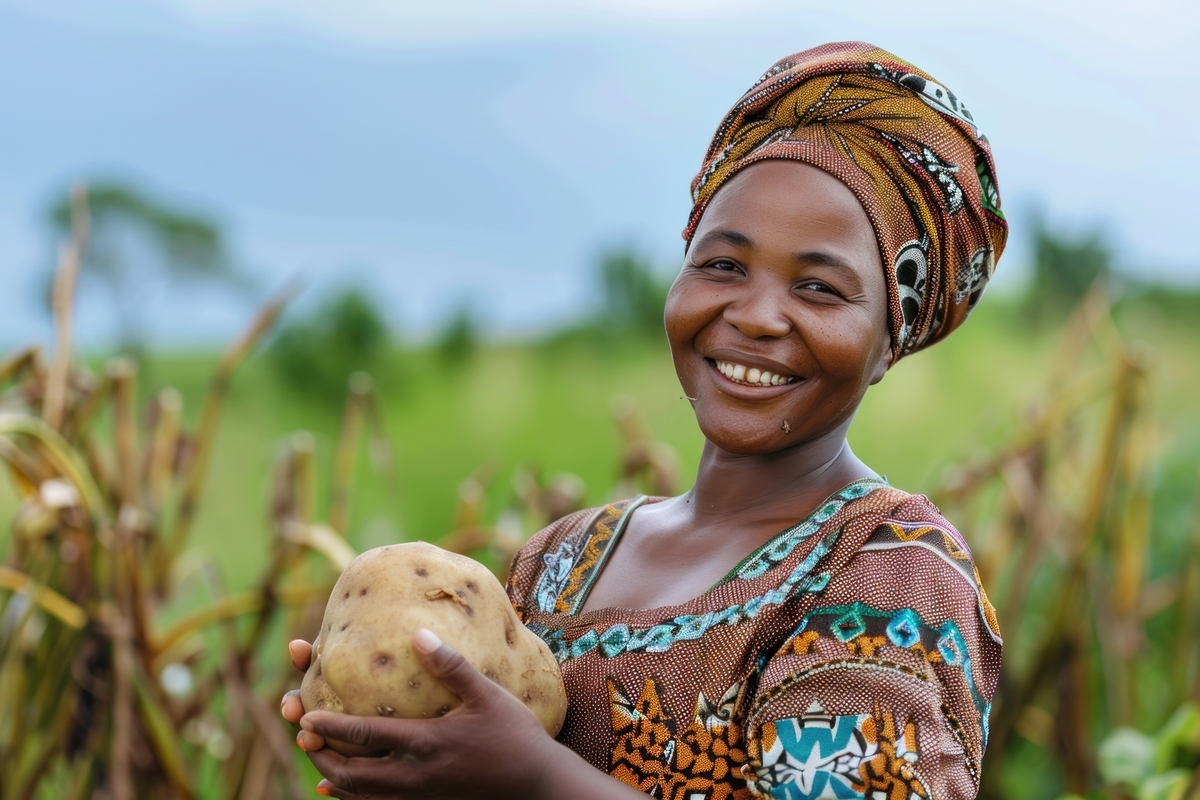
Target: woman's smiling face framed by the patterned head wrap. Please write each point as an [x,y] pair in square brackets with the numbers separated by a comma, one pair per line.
[778,321]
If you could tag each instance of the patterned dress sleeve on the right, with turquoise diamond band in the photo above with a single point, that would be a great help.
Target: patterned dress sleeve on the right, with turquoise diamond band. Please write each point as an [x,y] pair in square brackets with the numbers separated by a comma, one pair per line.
[884,688]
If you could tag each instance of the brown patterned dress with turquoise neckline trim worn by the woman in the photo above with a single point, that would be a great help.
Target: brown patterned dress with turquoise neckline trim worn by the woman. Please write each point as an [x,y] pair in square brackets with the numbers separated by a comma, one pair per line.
[854,655]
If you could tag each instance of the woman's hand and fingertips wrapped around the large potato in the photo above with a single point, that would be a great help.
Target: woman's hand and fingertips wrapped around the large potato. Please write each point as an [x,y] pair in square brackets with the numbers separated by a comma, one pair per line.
[491,747]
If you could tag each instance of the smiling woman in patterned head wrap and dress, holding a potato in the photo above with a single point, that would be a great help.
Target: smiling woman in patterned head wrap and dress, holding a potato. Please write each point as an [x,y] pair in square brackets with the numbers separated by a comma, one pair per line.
[847,215]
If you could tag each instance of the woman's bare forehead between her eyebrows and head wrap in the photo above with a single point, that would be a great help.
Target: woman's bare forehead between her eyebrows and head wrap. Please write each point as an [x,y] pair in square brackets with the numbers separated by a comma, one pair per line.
[793,207]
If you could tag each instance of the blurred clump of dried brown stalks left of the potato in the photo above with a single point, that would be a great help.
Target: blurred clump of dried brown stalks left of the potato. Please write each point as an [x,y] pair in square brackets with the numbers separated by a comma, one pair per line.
[99,697]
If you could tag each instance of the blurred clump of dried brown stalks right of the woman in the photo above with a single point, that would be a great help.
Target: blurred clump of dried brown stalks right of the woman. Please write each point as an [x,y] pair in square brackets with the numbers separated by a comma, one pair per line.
[1060,522]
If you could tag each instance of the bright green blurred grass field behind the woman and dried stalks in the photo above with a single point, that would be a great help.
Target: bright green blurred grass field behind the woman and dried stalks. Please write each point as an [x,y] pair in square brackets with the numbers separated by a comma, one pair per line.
[548,405]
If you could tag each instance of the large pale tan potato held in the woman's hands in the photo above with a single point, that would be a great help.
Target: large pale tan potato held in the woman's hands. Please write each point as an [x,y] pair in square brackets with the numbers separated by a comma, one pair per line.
[363,660]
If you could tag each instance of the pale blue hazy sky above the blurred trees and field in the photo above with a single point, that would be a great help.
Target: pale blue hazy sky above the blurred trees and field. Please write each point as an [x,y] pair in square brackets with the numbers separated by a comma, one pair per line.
[488,153]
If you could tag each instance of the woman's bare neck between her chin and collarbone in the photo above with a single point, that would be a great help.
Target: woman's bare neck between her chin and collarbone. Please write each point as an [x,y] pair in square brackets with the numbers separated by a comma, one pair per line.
[781,485]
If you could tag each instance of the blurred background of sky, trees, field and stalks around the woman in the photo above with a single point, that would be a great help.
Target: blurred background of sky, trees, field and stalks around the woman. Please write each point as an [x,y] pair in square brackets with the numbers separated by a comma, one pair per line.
[478,206]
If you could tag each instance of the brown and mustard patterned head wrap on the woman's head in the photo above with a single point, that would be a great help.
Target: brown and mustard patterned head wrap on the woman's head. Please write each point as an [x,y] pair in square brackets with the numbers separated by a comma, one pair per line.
[909,151]
